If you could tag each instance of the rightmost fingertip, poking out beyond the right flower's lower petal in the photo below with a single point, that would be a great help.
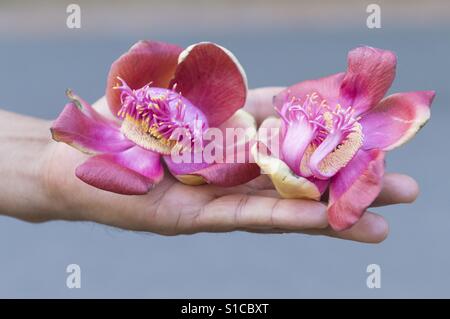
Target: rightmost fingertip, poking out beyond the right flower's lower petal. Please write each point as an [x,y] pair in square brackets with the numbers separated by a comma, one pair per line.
[397,188]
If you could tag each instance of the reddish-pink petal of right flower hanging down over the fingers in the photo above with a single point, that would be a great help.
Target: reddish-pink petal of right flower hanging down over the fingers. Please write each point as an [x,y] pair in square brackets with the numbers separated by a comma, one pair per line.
[354,188]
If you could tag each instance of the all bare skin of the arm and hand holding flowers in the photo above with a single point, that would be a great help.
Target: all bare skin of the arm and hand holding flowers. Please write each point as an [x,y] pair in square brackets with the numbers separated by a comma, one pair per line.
[39,185]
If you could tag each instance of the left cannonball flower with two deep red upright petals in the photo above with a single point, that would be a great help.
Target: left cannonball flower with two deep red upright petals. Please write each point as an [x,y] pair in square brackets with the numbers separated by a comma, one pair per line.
[154,89]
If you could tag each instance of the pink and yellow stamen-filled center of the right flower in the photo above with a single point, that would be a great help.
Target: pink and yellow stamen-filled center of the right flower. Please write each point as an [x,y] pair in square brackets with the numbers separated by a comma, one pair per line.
[318,141]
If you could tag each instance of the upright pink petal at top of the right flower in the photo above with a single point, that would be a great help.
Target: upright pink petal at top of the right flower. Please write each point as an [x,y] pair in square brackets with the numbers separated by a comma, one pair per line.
[369,75]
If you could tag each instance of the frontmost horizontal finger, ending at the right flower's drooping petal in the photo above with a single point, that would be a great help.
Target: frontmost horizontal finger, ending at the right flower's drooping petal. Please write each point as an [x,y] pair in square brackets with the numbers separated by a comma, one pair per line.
[237,212]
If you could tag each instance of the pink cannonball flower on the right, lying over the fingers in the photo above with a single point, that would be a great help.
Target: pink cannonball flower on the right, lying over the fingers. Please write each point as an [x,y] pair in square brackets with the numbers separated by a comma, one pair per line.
[334,132]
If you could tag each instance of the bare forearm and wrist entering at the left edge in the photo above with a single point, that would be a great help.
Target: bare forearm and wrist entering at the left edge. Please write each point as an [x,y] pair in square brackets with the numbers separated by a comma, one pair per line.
[23,142]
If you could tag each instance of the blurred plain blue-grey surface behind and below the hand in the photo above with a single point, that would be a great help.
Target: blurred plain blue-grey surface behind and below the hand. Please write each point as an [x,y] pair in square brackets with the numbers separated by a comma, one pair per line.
[414,259]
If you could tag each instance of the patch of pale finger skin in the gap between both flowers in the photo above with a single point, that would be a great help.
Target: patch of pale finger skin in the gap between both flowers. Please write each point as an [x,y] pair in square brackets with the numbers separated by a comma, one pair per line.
[259,102]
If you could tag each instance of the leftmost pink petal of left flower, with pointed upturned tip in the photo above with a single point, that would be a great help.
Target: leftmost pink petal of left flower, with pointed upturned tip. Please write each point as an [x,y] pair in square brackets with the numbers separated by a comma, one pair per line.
[88,134]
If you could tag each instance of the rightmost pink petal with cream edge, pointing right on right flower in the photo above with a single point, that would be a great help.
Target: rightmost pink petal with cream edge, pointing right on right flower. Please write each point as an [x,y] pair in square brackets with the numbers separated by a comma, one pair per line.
[396,119]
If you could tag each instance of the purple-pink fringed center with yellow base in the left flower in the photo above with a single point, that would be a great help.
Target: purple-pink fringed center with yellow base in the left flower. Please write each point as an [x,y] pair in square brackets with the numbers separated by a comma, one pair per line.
[159,119]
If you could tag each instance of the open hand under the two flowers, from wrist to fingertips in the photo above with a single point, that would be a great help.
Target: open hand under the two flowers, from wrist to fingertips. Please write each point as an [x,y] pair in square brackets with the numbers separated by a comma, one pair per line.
[172,208]
